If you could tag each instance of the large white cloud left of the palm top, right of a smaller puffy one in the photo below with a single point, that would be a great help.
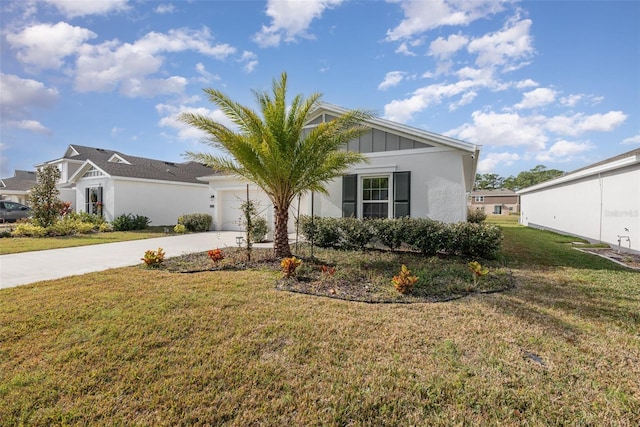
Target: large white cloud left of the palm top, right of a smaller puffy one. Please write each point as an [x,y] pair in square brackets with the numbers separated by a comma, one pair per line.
[105,67]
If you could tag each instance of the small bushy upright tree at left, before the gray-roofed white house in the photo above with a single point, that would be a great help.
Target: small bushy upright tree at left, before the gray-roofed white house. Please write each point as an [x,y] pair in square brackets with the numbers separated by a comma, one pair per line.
[43,197]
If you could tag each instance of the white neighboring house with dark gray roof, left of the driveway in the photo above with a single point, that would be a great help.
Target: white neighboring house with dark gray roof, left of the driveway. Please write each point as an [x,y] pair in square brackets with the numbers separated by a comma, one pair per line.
[110,183]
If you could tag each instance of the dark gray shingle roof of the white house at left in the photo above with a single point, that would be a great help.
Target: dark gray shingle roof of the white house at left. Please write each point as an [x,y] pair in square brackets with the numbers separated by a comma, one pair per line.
[140,167]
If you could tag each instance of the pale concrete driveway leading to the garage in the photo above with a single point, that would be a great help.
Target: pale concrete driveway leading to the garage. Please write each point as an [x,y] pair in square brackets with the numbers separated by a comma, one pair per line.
[24,268]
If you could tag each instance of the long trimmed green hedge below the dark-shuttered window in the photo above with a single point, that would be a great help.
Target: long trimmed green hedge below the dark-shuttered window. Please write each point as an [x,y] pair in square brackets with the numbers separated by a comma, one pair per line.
[423,235]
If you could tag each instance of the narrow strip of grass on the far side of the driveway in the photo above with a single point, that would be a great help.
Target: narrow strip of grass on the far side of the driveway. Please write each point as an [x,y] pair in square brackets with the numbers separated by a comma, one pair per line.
[28,244]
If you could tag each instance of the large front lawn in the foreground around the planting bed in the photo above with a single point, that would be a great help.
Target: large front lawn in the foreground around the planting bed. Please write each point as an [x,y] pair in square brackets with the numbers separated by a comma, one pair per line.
[149,347]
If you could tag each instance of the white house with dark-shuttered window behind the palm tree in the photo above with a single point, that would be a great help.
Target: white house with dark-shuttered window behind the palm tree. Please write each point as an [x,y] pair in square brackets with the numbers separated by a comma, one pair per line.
[411,172]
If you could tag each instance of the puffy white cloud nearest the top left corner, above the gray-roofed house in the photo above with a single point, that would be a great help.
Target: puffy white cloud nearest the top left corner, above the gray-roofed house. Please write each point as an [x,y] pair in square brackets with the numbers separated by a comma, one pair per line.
[46,46]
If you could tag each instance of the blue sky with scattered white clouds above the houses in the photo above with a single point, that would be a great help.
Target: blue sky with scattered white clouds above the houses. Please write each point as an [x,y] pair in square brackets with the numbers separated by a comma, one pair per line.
[542,82]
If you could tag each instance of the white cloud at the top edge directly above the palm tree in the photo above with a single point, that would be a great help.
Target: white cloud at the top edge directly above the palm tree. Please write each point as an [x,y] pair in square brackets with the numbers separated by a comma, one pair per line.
[290,19]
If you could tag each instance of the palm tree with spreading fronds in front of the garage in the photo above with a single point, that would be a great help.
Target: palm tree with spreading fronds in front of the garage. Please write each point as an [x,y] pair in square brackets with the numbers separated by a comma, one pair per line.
[271,149]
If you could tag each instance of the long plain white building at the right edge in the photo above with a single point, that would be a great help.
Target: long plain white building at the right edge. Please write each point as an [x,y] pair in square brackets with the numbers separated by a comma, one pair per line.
[600,202]
